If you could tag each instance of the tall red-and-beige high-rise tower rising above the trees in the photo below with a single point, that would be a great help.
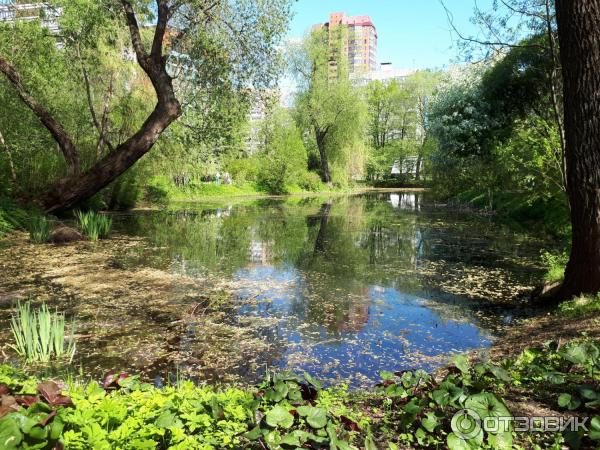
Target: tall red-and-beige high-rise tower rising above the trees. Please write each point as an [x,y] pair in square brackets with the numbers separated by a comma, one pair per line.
[358,41]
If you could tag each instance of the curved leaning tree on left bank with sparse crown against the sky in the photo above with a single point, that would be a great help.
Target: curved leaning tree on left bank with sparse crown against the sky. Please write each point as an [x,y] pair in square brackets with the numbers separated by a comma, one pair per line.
[209,44]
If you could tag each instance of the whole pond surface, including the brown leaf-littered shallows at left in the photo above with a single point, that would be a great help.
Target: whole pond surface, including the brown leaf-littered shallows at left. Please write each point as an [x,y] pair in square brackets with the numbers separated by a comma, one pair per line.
[342,287]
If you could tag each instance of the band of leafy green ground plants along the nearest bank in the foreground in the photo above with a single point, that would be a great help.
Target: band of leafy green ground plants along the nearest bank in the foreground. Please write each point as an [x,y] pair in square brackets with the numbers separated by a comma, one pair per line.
[406,410]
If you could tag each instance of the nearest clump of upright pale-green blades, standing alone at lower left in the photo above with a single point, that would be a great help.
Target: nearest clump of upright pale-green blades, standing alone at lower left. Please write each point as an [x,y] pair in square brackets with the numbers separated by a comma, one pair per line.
[40,335]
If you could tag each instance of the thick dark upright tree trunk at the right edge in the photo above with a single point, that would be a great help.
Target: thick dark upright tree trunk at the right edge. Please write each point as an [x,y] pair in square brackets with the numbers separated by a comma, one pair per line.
[579,35]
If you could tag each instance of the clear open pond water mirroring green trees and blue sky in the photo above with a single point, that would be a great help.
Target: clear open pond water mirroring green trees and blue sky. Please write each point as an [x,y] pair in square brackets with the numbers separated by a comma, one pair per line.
[339,287]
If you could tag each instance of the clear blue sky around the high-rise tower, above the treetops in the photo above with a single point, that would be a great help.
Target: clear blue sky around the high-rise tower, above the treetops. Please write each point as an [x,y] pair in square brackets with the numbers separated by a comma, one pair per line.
[413,34]
